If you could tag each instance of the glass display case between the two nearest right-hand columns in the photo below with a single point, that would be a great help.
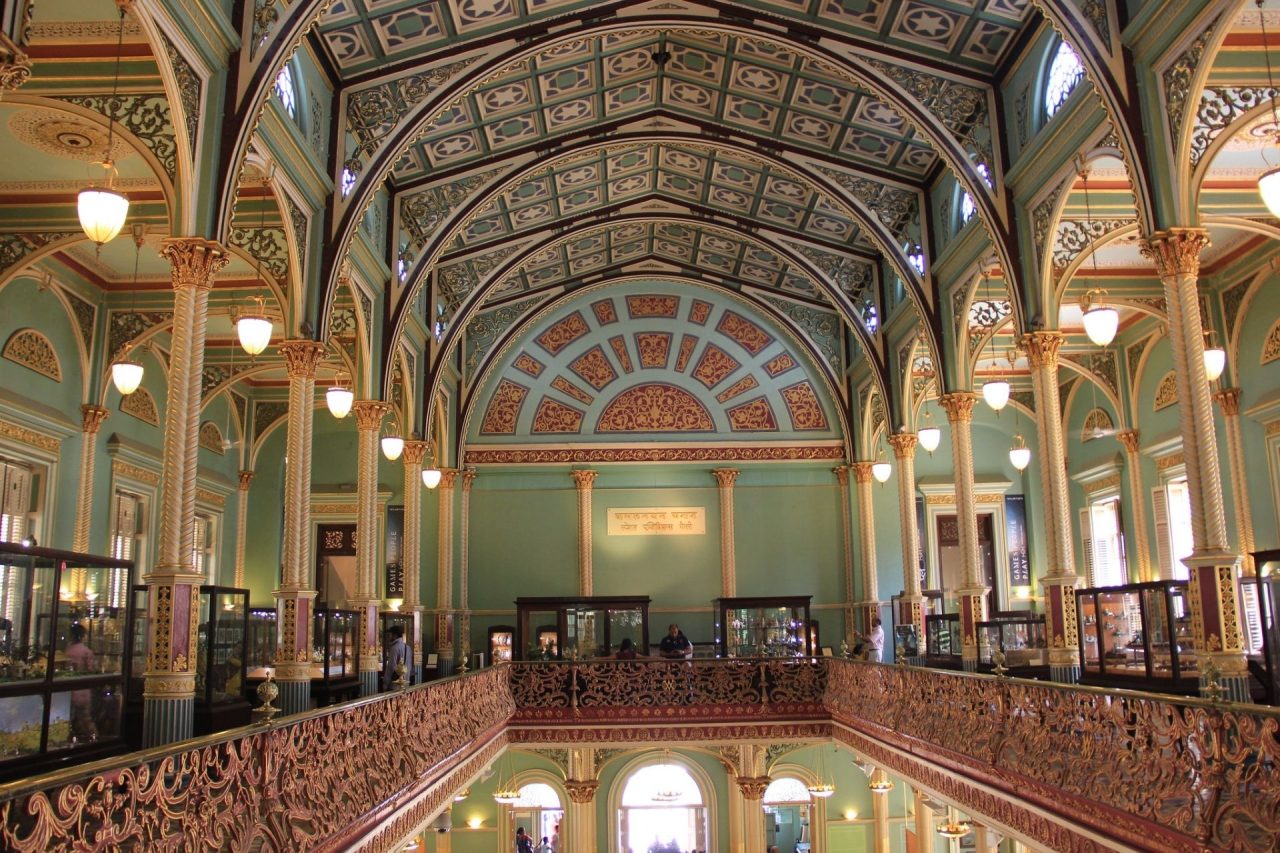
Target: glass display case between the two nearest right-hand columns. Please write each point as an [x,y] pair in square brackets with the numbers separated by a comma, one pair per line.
[1139,636]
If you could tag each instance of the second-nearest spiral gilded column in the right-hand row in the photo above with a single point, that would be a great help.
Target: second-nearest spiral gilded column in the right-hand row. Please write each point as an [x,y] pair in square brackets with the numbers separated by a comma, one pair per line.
[1060,582]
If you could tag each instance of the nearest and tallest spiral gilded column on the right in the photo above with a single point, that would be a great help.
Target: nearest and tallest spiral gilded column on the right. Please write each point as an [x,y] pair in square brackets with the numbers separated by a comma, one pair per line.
[1212,589]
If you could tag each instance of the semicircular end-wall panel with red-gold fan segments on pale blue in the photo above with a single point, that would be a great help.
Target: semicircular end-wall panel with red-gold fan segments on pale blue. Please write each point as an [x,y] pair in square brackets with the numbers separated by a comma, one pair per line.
[660,361]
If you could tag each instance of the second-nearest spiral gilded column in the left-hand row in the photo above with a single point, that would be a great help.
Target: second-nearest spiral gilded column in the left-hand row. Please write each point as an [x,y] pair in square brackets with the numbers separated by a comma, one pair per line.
[295,599]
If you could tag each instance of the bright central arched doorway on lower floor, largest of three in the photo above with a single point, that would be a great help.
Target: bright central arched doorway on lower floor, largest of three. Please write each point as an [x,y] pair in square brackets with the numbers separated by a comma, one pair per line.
[662,810]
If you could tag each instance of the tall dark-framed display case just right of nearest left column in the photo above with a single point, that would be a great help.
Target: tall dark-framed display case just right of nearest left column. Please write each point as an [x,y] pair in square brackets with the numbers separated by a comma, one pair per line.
[221,663]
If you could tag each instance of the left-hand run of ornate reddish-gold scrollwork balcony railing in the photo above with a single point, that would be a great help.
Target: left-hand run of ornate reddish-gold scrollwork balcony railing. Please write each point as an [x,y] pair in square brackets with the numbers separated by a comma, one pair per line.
[312,782]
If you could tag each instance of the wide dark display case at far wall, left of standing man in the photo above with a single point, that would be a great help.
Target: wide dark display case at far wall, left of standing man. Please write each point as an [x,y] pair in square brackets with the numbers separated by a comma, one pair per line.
[580,628]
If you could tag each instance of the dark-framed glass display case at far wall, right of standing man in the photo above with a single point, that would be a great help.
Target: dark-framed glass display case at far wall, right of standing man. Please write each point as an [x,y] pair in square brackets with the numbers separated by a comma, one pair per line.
[764,627]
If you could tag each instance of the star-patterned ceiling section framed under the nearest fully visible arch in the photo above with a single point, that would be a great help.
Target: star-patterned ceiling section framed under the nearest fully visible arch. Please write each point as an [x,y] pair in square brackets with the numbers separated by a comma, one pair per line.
[719,81]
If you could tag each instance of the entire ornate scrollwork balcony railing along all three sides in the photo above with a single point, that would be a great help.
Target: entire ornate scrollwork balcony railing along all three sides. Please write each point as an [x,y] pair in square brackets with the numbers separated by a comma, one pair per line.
[1141,769]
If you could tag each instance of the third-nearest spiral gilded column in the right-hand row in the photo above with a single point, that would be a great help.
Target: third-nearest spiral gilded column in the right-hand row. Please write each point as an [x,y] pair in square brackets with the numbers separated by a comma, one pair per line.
[973,595]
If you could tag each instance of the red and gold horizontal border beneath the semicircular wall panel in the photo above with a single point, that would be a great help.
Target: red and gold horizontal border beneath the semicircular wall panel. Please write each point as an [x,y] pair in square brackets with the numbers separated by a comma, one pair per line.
[833,451]
